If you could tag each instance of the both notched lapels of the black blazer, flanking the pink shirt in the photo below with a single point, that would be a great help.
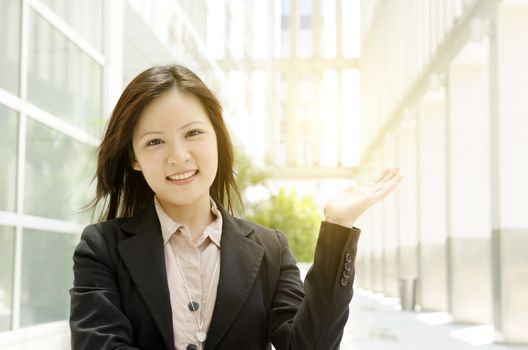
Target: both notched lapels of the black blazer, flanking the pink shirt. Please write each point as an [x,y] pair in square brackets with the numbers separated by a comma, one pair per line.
[240,260]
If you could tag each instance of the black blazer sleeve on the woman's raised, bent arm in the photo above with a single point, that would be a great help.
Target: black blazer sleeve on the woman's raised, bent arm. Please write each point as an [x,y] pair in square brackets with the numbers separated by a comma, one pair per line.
[315,318]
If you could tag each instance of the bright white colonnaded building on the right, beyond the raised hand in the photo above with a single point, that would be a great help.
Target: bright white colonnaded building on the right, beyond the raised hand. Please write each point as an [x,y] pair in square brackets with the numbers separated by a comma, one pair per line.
[443,96]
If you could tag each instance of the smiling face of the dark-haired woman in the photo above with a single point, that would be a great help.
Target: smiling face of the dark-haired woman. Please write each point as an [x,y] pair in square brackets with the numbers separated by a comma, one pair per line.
[175,148]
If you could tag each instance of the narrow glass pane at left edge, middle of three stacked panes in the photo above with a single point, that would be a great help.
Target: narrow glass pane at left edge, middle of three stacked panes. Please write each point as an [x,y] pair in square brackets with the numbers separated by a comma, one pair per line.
[8,158]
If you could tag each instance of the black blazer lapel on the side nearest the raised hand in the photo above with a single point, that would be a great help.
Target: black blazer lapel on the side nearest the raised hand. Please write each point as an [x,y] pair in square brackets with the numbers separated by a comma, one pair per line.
[240,264]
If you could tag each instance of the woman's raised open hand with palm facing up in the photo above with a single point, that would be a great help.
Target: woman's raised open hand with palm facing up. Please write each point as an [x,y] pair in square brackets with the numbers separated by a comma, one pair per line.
[345,207]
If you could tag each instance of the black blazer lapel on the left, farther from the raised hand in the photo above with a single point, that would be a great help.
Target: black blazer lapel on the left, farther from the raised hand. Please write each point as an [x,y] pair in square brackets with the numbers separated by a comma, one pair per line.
[144,258]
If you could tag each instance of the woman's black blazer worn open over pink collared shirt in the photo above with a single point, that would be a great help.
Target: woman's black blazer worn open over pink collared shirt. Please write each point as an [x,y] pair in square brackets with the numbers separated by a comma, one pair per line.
[120,298]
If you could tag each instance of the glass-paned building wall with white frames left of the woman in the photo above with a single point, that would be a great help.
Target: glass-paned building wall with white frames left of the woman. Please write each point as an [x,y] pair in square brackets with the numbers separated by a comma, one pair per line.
[52,76]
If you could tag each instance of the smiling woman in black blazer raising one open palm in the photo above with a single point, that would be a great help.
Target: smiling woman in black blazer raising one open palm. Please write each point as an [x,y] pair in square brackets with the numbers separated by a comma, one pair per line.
[170,268]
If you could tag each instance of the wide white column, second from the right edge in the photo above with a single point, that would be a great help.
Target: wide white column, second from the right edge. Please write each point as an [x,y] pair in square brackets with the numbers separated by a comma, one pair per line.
[469,185]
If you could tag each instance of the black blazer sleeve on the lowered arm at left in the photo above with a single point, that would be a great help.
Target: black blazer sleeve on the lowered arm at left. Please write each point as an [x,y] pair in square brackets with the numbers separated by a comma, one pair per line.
[96,318]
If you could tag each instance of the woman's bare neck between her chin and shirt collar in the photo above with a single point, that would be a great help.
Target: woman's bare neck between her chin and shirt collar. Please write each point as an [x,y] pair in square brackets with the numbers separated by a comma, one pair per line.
[196,215]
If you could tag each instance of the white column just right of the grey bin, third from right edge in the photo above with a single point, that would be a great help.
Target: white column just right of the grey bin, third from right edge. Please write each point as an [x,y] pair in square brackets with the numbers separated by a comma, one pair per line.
[432,226]
